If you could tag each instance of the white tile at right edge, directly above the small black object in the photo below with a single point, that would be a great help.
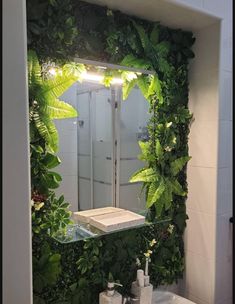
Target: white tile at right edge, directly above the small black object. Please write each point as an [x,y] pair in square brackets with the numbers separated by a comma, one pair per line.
[224,191]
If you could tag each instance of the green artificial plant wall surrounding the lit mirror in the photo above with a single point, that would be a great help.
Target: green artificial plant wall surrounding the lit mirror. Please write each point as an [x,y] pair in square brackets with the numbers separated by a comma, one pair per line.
[59,30]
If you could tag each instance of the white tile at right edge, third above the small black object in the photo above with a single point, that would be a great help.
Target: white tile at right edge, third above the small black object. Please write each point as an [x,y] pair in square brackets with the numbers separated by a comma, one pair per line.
[226,99]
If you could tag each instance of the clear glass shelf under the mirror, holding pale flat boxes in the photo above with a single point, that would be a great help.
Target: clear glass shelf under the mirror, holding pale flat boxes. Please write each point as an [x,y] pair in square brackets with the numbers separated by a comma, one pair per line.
[79,231]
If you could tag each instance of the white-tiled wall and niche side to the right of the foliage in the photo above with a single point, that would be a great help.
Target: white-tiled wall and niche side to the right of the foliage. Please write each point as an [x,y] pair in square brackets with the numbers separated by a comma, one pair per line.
[208,237]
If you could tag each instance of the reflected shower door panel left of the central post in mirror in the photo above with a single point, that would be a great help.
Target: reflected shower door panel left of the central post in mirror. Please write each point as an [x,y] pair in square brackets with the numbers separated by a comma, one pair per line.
[95,149]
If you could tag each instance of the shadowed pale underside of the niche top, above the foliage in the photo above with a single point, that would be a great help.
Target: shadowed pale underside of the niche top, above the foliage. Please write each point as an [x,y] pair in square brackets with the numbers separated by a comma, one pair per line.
[165,11]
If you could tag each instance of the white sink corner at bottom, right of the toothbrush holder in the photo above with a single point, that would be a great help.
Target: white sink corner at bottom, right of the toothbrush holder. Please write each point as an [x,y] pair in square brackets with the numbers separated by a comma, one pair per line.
[167,297]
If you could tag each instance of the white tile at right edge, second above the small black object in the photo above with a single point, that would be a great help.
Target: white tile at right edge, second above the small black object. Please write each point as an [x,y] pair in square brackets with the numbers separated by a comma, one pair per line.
[225,144]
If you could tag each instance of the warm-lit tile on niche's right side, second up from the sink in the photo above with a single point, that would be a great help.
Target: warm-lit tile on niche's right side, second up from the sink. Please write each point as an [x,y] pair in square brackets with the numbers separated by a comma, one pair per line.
[200,234]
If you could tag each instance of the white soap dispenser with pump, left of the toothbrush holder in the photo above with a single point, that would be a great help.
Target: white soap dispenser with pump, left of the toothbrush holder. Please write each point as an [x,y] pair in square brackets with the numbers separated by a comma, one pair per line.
[110,296]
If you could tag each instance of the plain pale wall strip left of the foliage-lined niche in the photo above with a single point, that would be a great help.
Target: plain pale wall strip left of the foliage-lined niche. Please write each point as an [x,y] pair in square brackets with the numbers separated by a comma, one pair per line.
[17,270]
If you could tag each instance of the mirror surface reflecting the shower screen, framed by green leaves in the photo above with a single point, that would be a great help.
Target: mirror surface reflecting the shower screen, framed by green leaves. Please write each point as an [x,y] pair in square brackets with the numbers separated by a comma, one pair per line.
[105,140]
